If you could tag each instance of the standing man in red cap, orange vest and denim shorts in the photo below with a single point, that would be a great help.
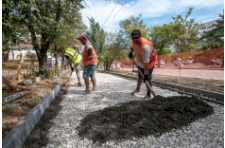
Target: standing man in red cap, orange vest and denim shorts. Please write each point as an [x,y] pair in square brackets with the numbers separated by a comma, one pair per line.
[90,63]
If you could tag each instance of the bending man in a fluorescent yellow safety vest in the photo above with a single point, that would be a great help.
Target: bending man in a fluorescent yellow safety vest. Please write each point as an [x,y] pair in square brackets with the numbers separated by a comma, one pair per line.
[73,57]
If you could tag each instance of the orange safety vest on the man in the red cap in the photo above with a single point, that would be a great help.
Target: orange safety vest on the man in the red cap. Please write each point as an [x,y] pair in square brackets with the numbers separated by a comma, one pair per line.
[92,59]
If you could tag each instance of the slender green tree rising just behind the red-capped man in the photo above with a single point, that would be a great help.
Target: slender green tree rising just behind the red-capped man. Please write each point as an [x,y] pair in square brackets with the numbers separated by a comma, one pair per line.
[96,35]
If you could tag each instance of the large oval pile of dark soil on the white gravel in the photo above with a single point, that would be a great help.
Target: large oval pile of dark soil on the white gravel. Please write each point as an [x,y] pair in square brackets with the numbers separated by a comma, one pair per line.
[140,118]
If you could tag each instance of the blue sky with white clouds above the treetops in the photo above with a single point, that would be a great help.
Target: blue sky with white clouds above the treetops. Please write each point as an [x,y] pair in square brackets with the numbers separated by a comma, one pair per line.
[154,12]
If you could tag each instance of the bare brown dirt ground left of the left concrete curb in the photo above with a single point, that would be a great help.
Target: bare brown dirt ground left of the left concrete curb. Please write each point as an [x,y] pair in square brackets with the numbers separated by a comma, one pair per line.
[14,111]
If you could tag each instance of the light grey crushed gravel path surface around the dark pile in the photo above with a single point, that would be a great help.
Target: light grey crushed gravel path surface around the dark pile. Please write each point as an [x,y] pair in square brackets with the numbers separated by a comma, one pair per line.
[74,106]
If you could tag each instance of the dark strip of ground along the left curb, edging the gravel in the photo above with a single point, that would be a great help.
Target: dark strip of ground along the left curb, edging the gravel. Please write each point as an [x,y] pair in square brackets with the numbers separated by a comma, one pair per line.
[38,136]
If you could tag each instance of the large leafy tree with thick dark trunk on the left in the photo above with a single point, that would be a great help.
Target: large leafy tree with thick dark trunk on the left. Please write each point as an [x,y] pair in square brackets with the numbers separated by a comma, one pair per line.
[42,18]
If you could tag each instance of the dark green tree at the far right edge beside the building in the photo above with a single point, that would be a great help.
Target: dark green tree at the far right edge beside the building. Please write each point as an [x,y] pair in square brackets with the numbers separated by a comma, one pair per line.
[215,37]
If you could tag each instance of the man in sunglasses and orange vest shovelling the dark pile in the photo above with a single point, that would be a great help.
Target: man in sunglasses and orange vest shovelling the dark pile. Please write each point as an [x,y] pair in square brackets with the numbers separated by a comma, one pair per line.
[146,57]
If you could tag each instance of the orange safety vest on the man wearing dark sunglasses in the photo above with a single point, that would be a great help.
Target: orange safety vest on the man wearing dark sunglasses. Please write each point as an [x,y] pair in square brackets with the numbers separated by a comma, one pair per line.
[153,57]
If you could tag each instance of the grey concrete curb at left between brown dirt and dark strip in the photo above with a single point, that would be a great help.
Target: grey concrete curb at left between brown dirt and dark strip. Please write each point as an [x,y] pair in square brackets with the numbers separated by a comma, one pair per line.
[17,136]
